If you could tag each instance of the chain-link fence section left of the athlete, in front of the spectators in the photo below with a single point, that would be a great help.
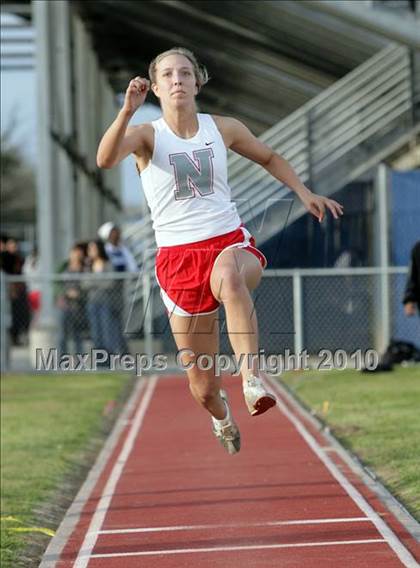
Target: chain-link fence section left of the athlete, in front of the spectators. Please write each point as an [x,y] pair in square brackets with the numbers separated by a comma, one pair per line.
[67,314]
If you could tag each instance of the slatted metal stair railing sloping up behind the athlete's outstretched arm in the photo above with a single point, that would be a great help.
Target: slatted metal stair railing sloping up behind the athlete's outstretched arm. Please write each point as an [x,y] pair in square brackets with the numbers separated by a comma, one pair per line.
[337,136]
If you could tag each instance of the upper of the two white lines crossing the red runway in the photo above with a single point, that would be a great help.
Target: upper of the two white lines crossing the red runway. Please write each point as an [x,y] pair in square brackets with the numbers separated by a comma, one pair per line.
[235,525]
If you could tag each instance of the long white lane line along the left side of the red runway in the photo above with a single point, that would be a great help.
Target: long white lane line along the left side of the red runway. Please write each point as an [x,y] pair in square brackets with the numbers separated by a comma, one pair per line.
[85,552]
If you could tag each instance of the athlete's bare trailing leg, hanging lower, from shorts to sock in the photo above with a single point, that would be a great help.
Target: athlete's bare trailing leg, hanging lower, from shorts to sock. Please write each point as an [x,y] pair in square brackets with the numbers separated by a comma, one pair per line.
[200,334]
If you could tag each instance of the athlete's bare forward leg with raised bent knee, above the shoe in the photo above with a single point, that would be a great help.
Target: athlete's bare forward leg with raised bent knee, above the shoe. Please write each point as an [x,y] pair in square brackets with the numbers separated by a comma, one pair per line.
[235,273]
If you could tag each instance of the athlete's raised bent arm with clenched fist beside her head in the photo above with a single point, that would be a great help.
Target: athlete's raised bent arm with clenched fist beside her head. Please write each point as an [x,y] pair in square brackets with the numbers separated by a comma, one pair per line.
[120,140]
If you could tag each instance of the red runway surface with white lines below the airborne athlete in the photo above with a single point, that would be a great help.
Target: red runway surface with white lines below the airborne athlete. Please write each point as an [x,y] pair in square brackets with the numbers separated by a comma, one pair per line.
[177,478]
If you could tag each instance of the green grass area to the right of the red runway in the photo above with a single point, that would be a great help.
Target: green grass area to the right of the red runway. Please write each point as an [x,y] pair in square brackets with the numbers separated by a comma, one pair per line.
[376,416]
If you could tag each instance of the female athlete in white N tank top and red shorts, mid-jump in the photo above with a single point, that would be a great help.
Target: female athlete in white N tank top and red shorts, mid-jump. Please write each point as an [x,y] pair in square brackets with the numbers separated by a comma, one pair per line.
[205,256]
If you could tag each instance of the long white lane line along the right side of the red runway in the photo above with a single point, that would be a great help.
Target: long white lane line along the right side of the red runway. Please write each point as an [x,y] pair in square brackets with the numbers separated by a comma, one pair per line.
[397,546]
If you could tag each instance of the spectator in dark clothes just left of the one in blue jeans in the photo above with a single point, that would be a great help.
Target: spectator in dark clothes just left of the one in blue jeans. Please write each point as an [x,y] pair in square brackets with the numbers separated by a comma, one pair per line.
[71,303]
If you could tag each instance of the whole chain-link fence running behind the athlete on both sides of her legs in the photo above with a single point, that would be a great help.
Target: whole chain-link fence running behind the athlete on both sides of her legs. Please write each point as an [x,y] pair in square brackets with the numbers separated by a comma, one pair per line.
[313,310]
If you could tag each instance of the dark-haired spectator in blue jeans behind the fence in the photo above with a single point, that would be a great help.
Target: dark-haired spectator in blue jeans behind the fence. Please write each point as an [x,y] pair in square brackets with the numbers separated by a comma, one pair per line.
[103,302]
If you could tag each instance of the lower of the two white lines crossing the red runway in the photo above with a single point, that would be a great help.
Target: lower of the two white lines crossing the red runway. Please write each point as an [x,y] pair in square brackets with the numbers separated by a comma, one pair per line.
[236,548]
